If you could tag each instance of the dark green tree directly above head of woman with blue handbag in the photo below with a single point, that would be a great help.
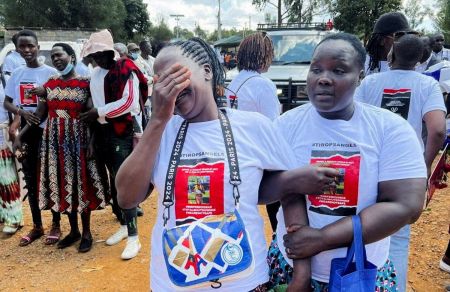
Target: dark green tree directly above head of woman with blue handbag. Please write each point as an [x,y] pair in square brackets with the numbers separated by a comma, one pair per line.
[359,17]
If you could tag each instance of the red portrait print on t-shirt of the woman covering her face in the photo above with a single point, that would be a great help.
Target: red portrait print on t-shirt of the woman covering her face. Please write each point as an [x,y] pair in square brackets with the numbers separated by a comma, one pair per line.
[199,189]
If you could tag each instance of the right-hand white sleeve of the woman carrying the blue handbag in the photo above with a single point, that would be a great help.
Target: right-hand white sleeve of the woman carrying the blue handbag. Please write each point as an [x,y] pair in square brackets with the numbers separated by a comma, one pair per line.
[401,155]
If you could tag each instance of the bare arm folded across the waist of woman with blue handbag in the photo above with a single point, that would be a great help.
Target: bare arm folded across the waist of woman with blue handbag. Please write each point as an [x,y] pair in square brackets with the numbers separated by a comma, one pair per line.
[400,202]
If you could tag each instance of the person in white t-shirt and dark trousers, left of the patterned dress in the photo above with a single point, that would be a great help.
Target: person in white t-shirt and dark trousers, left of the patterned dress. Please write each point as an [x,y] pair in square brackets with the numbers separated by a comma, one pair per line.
[21,100]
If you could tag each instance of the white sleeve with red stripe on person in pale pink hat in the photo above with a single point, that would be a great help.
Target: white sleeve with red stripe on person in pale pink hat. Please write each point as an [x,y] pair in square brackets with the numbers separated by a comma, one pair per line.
[128,102]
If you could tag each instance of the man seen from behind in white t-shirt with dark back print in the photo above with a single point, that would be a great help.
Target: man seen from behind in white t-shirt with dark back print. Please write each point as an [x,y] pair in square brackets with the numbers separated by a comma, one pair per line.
[415,97]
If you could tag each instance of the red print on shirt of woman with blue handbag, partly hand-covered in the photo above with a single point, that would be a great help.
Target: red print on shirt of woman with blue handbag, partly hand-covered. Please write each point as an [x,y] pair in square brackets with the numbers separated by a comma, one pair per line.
[341,199]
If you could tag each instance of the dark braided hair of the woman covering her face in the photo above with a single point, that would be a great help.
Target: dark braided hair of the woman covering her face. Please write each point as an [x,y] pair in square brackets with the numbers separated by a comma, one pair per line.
[202,53]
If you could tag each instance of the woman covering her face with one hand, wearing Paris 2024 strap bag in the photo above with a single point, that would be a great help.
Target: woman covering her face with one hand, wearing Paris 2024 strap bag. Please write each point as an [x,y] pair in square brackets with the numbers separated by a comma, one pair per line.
[176,151]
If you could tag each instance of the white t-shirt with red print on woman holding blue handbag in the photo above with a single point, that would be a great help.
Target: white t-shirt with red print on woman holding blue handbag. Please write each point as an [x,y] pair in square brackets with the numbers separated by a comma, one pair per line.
[373,146]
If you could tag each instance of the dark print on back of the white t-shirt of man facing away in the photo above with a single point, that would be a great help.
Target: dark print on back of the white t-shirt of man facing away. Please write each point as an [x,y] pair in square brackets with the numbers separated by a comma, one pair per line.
[397,101]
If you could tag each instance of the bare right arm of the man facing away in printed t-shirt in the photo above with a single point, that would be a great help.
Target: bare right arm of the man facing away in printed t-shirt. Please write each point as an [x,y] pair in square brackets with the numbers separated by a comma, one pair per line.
[435,123]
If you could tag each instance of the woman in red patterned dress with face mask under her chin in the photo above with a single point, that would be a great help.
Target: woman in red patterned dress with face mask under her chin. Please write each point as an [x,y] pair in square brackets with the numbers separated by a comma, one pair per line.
[71,181]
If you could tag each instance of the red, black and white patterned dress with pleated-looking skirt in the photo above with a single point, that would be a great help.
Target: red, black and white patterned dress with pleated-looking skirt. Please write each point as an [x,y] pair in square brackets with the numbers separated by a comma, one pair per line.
[68,180]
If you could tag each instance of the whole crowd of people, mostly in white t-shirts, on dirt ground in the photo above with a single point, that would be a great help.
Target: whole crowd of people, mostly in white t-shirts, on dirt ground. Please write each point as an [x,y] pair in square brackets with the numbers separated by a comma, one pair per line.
[87,135]
